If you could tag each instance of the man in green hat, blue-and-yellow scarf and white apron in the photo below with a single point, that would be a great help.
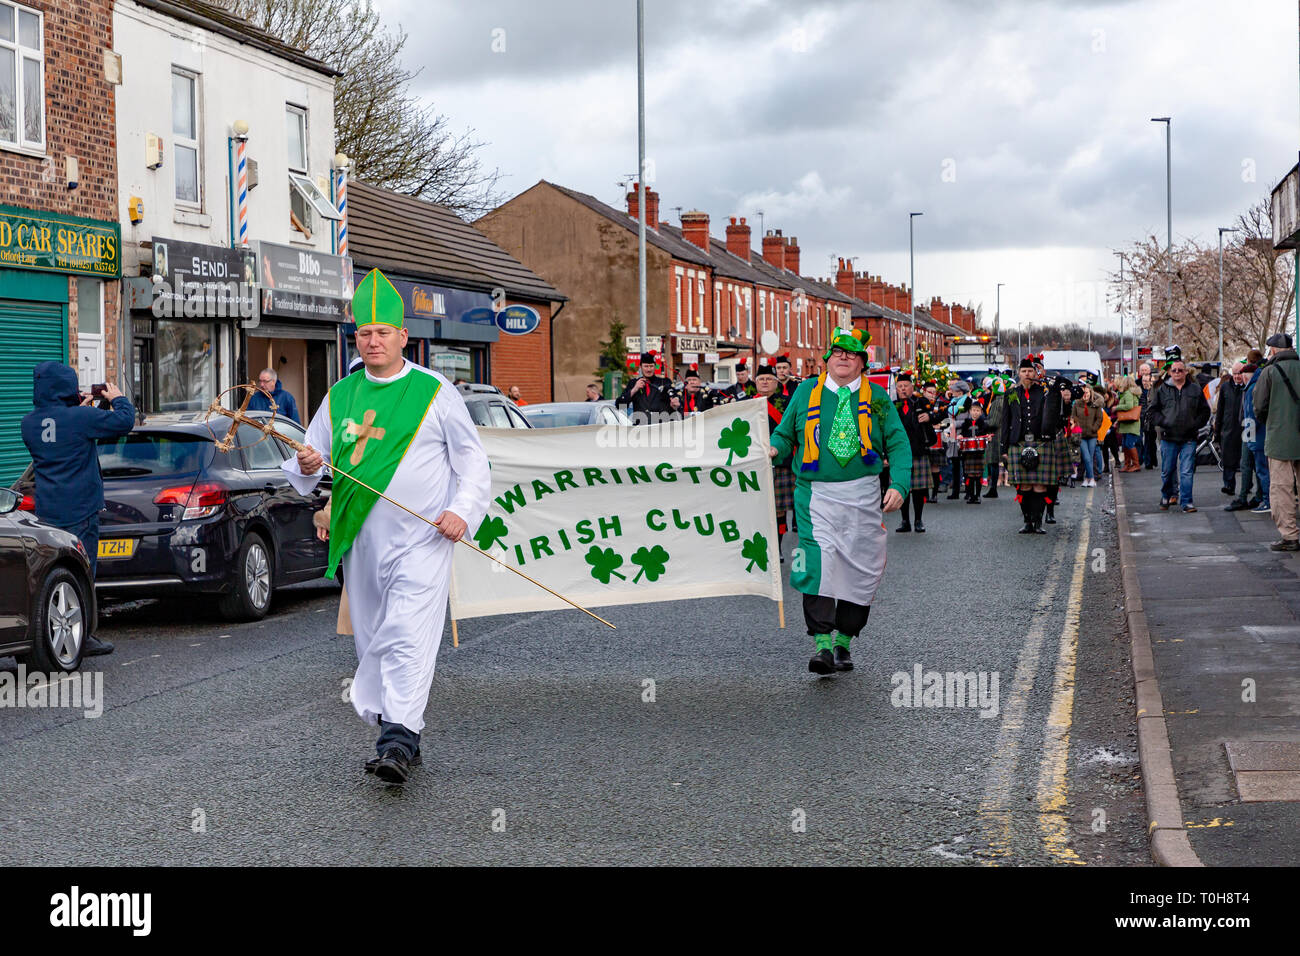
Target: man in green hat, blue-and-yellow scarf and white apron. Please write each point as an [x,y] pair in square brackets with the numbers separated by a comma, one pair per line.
[837,432]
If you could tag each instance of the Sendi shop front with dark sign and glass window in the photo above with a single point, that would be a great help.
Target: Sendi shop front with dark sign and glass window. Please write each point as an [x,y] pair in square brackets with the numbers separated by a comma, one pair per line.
[184,322]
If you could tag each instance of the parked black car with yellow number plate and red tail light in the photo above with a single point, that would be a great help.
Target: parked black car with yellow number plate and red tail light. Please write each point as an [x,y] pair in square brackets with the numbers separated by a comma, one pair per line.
[183,518]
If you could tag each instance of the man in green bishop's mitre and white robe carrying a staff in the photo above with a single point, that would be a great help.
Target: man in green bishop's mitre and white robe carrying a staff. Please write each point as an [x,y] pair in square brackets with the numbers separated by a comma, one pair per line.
[405,431]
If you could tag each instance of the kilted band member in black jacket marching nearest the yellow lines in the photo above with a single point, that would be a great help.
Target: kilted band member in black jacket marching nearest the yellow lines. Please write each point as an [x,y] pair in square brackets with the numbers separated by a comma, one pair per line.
[1032,422]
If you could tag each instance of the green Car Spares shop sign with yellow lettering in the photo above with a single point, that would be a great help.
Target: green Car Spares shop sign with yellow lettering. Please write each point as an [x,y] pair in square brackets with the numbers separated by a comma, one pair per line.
[49,243]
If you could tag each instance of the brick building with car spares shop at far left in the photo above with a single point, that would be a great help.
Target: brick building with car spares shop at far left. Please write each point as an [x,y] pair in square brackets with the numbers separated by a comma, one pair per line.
[60,245]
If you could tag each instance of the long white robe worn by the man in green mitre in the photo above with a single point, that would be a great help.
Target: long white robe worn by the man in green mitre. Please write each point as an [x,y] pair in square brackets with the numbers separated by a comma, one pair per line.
[398,569]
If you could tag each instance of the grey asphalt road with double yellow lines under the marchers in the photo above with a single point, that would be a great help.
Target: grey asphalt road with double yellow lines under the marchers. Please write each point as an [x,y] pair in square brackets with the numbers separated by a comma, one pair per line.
[233,745]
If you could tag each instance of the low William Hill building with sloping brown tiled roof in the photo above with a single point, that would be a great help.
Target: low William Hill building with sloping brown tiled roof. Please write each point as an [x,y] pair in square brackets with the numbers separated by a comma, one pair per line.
[448,274]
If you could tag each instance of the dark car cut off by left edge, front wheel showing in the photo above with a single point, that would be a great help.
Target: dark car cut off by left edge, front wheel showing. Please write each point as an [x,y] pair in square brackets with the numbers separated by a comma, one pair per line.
[47,607]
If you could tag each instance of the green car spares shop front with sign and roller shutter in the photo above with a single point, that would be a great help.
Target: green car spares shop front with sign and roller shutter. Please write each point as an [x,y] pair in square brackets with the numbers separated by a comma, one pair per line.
[51,266]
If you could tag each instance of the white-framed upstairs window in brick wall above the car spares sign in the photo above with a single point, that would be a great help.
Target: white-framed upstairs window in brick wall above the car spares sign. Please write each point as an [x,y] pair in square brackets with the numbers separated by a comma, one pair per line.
[23,81]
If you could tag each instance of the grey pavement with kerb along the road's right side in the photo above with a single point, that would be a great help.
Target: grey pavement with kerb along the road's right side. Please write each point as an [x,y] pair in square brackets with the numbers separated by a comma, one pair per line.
[1215,617]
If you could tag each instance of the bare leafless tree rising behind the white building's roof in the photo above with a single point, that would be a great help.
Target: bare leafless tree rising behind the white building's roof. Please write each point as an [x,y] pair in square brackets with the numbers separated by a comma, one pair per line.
[395,140]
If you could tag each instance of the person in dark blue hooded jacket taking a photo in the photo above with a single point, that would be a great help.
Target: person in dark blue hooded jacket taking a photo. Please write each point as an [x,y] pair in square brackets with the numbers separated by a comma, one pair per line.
[60,432]
